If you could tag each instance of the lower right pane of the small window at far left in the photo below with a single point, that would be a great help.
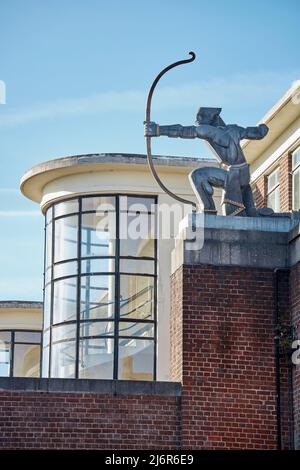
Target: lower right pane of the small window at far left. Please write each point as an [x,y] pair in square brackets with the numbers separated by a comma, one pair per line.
[26,360]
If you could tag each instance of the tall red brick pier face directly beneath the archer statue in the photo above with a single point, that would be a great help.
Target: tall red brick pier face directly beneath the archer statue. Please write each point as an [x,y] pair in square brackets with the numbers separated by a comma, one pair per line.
[228,395]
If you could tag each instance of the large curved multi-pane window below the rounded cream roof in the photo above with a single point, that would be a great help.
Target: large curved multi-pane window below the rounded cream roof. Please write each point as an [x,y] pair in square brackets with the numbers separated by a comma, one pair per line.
[100,288]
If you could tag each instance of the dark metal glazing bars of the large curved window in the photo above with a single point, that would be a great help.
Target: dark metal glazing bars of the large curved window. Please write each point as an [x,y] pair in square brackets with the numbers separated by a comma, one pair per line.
[116,273]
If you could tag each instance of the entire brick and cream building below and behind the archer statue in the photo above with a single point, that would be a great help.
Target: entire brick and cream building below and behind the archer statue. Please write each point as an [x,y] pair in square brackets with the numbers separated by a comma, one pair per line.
[162,328]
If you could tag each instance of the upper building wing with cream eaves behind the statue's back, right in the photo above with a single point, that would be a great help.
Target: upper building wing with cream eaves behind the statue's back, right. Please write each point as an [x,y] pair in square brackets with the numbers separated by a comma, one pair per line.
[275,161]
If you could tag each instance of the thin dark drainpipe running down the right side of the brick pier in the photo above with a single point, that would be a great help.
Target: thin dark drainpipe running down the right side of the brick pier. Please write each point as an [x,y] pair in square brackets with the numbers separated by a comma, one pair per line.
[277,326]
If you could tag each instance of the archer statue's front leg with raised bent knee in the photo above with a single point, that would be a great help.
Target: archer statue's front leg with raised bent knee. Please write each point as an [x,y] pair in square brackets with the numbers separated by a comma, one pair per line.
[203,180]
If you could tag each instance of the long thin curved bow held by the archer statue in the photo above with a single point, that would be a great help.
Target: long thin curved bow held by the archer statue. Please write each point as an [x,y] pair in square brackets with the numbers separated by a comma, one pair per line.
[148,139]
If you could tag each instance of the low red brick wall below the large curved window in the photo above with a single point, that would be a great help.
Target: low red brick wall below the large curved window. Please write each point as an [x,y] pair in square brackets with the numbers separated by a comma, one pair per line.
[87,420]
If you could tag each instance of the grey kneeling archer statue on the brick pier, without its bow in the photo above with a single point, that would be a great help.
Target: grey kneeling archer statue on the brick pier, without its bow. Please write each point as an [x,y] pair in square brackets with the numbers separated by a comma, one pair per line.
[234,176]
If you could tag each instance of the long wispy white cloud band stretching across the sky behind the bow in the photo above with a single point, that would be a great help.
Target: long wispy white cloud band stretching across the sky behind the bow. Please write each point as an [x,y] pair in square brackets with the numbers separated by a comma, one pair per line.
[249,89]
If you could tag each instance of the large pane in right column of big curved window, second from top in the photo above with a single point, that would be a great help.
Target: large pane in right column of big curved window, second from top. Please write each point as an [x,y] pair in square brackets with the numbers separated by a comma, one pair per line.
[136,235]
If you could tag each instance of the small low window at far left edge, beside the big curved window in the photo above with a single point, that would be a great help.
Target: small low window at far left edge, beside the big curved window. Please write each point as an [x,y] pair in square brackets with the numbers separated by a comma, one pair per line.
[20,352]
